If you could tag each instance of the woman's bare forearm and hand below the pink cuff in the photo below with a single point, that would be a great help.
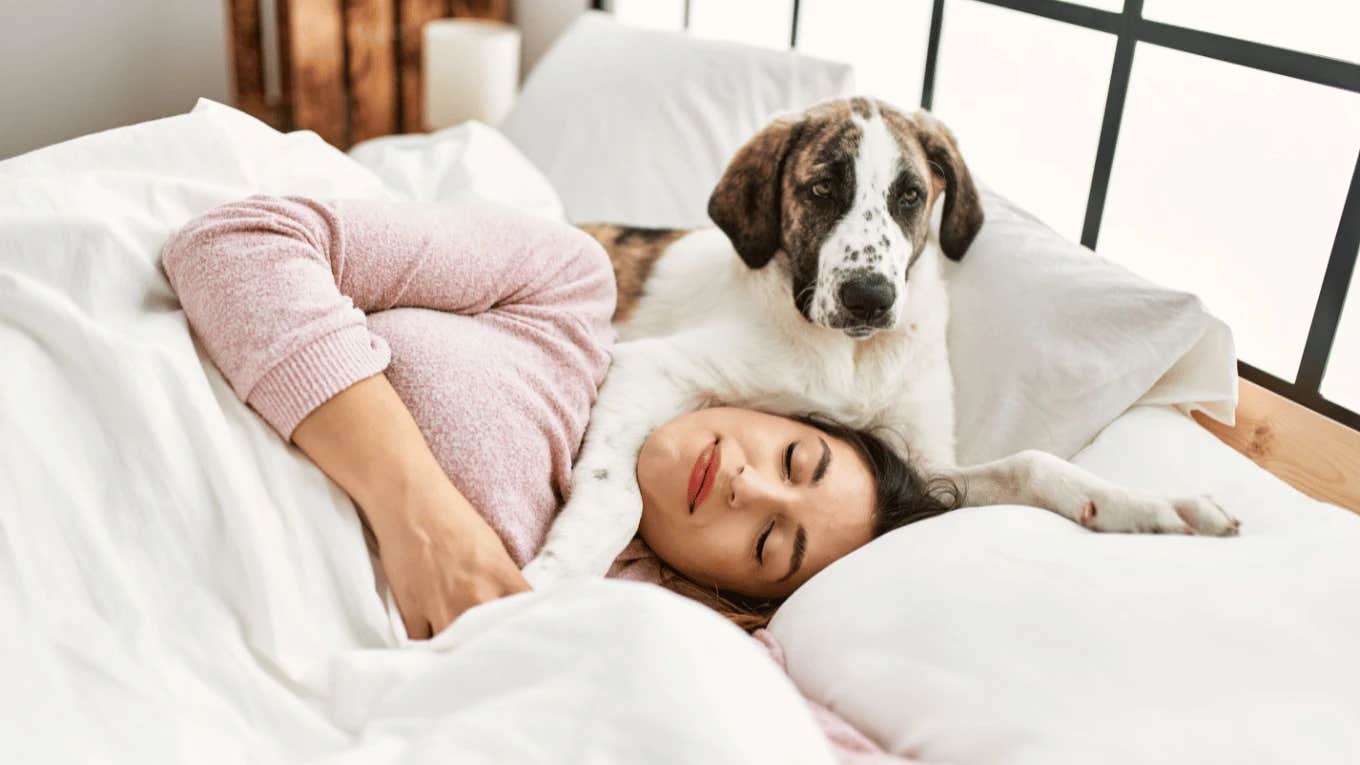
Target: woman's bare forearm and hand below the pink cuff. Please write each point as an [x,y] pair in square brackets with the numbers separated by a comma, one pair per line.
[439,553]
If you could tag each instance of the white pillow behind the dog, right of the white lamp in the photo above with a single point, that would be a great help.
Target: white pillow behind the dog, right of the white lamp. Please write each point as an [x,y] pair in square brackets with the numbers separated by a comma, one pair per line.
[636,126]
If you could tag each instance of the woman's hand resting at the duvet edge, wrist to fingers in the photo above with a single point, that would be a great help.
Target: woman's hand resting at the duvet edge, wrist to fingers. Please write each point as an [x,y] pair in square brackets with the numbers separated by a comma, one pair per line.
[441,561]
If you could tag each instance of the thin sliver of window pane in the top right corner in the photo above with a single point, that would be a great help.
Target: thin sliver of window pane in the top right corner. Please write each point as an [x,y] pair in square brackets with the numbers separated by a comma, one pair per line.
[1324,28]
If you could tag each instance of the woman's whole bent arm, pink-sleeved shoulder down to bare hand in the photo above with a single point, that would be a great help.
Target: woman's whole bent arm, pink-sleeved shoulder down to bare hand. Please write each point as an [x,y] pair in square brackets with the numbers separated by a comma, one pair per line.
[277,291]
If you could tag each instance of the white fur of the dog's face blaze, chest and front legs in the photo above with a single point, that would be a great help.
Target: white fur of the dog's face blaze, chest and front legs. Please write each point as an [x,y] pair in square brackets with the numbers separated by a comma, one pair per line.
[711,330]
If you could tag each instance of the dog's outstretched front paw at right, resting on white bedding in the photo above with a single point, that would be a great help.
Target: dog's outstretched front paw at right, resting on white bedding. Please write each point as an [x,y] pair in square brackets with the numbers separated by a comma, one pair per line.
[1129,514]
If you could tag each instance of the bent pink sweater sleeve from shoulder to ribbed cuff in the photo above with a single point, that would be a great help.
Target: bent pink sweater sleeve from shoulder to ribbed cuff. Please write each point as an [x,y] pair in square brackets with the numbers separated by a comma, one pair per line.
[278,288]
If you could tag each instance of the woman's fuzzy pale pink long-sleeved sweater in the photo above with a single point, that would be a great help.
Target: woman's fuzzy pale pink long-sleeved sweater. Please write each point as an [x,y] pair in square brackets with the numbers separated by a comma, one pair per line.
[492,326]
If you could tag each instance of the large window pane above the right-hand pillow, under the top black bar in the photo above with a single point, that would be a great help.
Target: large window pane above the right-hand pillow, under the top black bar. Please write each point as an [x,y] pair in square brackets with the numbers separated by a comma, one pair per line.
[1229,183]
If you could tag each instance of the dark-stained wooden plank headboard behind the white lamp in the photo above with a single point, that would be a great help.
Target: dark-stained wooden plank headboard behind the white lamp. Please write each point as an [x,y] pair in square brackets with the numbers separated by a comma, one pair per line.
[349,70]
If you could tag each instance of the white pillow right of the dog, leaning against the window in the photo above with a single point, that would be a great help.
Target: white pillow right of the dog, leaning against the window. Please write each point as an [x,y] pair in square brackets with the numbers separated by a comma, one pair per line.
[1051,342]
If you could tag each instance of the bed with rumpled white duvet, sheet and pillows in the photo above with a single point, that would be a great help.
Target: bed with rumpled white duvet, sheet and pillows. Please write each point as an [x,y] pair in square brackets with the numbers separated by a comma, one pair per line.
[182,586]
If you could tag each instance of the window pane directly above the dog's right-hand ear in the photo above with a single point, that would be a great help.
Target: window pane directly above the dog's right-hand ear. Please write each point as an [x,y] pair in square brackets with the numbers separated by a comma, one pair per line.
[1026,97]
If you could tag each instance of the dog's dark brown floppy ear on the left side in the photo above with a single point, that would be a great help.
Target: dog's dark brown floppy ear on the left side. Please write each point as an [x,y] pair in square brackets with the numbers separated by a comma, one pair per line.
[746,202]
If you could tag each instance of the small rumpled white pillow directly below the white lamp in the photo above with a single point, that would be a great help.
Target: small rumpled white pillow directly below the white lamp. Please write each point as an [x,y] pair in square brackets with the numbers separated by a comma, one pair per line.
[469,161]
